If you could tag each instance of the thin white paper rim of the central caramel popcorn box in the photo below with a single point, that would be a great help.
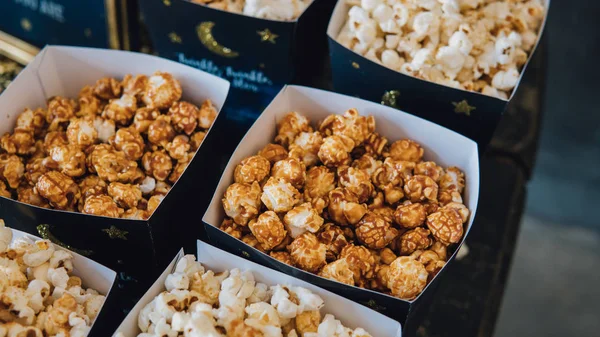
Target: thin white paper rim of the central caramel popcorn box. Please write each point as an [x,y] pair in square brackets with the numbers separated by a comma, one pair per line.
[216,199]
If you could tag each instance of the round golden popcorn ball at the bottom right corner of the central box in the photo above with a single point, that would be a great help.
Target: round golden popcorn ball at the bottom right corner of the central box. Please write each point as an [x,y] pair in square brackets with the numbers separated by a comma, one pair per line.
[406,277]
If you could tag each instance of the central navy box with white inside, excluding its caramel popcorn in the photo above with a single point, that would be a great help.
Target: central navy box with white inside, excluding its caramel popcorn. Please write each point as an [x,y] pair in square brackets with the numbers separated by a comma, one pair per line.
[445,147]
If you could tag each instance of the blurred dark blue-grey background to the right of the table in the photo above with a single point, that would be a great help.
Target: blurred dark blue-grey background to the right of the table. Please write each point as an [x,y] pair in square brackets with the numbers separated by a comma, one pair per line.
[556,268]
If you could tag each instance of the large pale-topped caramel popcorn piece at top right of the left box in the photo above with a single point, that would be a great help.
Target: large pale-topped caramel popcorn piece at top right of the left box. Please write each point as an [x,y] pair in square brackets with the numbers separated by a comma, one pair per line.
[161,91]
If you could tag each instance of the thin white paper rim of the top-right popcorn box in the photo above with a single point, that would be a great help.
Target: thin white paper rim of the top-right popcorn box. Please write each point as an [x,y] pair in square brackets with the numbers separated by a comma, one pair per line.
[339,18]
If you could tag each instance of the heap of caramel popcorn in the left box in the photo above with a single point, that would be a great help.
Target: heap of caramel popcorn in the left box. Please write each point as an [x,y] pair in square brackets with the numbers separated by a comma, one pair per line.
[114,151]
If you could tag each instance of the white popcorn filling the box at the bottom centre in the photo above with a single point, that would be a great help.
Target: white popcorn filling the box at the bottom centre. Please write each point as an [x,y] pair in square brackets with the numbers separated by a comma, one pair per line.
[244,307]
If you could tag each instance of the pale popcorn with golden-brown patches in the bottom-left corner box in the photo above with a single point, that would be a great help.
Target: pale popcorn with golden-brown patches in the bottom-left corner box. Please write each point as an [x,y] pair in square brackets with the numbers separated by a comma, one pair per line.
[39,295]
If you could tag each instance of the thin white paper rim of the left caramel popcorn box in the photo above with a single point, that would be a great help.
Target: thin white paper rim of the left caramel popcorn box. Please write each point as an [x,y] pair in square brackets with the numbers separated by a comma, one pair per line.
[38,62]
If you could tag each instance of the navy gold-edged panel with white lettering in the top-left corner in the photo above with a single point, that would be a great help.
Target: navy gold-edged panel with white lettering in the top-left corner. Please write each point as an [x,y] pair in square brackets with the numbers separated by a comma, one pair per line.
[81,23]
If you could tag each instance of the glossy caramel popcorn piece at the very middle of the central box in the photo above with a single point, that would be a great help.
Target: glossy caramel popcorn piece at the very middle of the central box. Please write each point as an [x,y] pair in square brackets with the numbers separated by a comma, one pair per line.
[344,207]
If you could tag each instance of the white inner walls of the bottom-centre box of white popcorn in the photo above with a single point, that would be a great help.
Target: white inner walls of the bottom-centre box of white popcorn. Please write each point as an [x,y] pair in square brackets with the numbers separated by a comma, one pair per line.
[351,314]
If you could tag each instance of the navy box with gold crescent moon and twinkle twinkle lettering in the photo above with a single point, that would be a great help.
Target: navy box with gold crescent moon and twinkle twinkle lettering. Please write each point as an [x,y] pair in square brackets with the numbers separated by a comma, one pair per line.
[258,56]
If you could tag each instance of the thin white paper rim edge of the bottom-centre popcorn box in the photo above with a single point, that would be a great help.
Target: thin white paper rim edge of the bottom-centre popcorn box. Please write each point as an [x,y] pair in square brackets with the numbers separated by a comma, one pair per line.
[158,286]
